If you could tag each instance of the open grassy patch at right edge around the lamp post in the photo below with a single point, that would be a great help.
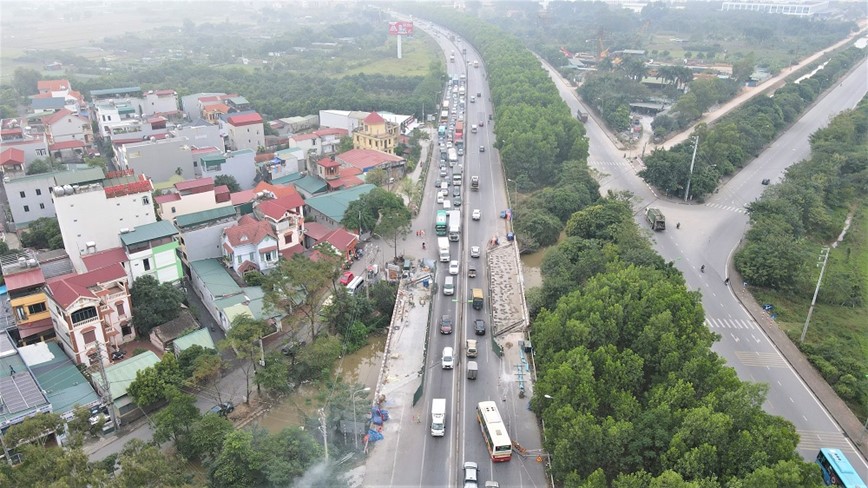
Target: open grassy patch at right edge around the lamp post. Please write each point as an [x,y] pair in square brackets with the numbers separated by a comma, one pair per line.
[837,338]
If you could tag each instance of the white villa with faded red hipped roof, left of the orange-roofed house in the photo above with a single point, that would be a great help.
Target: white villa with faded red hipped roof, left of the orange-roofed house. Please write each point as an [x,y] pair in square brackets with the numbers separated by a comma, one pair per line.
[250,246]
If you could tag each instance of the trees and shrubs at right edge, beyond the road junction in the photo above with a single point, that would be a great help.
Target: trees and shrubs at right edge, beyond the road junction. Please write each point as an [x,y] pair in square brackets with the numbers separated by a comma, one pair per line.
[794,219]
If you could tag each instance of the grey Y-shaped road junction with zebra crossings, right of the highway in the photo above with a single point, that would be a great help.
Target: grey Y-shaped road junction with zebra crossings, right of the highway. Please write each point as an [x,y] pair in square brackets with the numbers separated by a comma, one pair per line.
[708,236]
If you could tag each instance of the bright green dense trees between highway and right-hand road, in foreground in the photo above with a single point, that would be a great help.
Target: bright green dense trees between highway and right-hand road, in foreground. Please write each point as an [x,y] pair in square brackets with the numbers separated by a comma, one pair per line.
[629,389]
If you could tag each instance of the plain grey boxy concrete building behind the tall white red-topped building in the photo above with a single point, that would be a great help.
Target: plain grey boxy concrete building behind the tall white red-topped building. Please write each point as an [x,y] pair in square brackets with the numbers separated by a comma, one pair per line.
[161,160]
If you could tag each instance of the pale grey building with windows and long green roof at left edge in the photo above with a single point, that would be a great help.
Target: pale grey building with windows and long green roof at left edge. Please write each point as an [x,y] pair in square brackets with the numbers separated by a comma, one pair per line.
[29,196]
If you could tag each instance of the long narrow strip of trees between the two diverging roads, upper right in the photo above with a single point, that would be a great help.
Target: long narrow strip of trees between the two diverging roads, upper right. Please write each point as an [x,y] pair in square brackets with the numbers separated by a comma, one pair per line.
[737,138]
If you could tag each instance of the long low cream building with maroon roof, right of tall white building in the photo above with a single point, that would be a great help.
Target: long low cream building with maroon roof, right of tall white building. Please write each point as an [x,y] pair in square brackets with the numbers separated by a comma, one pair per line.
[192,196]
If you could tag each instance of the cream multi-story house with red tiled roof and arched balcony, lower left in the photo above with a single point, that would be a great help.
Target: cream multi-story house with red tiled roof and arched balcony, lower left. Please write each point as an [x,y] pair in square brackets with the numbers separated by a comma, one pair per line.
[90,313]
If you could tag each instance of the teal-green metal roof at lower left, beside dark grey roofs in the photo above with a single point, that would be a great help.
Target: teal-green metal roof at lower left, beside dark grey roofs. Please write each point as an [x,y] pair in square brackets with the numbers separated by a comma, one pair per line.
[63,383]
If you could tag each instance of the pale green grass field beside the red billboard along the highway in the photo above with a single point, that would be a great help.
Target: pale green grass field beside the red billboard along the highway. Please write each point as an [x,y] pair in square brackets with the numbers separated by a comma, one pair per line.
[417,55]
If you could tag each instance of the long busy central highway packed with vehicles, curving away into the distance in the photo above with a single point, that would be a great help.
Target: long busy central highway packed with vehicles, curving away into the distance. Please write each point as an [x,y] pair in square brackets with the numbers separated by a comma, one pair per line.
[438,461]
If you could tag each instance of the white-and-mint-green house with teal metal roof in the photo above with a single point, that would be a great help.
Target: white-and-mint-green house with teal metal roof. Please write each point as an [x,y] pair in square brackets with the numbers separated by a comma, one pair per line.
[152,250]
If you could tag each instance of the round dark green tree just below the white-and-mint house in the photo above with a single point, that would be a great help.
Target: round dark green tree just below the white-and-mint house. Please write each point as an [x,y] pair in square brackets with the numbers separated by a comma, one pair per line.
[154,303]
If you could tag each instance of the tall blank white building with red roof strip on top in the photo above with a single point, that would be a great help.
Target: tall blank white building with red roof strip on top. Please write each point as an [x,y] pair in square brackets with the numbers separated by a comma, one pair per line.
[91,217]
